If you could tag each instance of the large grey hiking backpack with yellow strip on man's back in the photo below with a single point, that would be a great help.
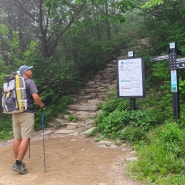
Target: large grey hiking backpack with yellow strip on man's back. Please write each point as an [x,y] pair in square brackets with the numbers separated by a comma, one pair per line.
[14,98]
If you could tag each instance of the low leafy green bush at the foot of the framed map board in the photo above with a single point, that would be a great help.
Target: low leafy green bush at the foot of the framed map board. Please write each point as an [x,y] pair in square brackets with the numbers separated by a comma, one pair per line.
[109,124]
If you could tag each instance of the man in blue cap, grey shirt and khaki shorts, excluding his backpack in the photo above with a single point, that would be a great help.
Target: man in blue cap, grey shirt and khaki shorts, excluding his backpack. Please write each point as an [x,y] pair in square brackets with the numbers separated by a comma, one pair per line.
[23,123]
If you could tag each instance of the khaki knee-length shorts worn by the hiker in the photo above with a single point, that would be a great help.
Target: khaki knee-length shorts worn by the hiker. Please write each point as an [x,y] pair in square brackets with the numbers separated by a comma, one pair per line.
[23,125]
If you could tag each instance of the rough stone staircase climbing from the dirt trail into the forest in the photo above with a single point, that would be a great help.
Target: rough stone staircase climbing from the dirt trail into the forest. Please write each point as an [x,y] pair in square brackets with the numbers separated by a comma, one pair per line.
[81,114]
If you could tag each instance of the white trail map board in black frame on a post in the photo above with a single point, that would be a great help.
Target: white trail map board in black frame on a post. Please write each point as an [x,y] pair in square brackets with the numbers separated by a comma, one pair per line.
[130,78]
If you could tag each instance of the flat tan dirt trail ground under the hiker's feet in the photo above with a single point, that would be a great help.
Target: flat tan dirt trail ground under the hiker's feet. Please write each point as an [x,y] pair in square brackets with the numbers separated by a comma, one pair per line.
[70,160]
